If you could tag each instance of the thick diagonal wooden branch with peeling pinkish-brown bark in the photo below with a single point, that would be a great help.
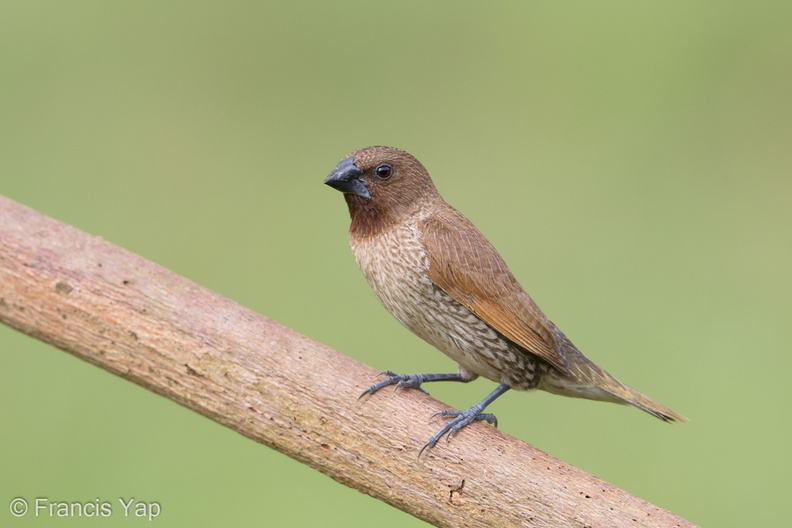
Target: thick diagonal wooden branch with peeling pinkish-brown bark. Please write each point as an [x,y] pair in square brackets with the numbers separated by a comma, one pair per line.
[265,381]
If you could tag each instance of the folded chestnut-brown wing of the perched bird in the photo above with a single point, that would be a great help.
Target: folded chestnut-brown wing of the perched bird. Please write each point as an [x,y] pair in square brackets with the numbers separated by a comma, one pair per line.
[468,268]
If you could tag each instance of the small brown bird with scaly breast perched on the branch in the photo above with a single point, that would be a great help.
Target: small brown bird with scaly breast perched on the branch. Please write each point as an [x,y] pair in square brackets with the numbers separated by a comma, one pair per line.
[441,278]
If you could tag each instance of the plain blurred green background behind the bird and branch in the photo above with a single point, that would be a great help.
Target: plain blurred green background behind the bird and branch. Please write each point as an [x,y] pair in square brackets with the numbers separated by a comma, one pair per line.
[630,160]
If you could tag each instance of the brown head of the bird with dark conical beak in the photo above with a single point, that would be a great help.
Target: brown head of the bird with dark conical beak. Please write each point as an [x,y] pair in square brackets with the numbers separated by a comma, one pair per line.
[382,186]
